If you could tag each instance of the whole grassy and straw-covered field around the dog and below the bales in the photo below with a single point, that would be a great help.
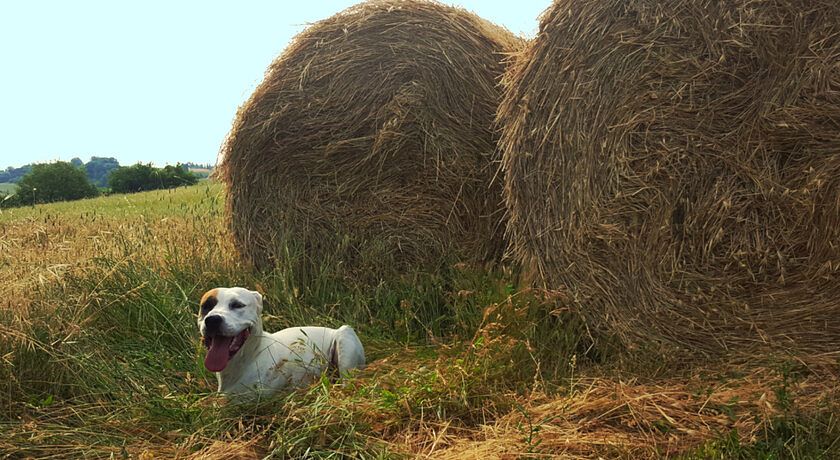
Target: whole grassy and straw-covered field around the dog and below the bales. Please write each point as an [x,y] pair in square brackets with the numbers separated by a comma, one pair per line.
[100,357]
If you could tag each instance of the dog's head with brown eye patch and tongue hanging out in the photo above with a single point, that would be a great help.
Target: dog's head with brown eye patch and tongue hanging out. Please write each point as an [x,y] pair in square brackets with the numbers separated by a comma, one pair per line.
[226,318]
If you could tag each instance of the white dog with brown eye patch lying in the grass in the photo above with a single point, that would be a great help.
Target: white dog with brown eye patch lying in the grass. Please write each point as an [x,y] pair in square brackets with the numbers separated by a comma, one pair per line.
[248,360]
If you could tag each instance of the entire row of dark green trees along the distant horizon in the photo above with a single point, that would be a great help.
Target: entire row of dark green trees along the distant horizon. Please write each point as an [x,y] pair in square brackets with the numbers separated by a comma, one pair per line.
[65,181]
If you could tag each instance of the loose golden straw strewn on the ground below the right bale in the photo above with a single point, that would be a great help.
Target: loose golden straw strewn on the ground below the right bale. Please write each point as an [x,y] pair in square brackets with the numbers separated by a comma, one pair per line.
[606,418]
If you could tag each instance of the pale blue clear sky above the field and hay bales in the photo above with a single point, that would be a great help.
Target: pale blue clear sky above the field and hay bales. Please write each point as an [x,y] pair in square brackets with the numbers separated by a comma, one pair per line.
[153,81]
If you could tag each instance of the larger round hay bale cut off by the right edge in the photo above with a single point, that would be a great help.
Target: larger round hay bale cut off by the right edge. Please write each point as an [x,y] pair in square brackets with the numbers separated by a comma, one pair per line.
[673,168]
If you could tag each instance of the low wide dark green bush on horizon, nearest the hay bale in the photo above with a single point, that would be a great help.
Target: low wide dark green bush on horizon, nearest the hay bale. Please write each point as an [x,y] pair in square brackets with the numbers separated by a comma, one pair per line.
[140,177]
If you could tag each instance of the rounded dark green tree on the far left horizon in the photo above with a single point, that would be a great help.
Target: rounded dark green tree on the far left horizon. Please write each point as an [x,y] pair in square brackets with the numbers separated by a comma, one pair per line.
[59,181]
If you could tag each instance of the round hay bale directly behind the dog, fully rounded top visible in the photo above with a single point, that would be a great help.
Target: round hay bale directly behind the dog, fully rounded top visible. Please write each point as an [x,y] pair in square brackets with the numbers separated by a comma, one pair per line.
[371,143]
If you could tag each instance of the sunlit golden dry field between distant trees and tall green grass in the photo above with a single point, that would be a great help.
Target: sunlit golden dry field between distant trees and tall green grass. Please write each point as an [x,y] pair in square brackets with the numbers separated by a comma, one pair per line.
[40,246]
